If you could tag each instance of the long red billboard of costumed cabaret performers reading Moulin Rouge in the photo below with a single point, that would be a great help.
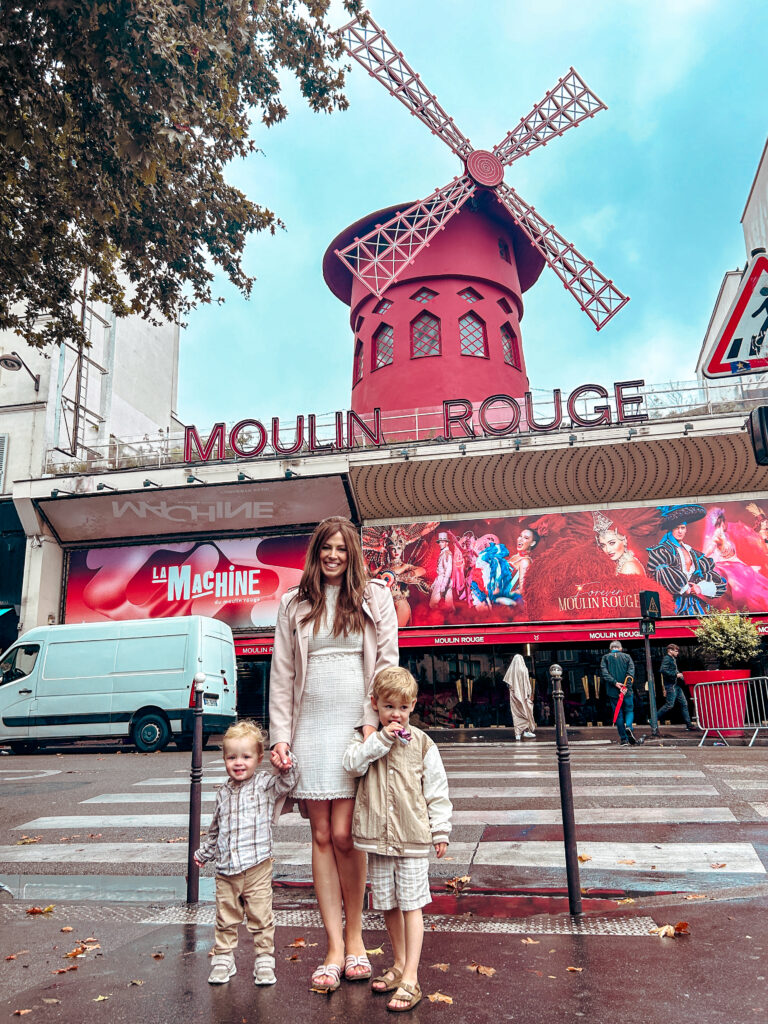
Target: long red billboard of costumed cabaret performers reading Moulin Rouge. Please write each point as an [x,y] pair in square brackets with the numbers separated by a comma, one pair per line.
[576,567]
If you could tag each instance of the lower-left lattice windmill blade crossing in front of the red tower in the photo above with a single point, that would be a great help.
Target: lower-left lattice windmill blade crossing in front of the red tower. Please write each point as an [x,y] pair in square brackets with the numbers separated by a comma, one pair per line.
[379,258]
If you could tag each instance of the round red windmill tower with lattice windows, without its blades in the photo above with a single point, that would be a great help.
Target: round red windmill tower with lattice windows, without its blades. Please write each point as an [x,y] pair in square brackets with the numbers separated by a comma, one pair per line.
[448,327]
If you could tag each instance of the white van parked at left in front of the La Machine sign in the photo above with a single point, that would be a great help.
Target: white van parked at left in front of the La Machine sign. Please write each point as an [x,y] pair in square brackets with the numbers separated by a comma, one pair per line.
[134,680]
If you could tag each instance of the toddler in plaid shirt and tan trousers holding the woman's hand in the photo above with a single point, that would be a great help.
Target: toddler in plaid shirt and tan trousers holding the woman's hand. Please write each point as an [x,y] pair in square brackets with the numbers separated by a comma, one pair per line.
[240,839]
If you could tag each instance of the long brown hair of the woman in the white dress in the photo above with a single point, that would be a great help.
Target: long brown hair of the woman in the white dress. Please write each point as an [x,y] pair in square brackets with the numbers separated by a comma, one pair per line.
[350,617]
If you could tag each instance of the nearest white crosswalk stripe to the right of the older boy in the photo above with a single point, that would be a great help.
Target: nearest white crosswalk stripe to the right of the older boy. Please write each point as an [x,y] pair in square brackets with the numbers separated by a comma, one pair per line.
[738,858]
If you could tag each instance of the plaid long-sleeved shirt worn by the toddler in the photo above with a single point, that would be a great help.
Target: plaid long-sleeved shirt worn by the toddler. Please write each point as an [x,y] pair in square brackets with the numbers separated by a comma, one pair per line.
[241,831]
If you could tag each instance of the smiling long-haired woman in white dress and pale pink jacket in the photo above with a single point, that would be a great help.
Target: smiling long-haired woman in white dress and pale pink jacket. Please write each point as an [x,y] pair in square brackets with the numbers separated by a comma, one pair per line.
[334,633]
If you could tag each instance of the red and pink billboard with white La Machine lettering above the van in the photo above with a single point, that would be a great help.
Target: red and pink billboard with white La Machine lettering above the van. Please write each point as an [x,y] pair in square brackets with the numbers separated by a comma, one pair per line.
[239,582]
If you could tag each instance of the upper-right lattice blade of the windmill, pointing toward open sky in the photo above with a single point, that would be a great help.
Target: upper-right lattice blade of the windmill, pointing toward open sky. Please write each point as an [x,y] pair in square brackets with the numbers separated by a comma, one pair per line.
[565,107]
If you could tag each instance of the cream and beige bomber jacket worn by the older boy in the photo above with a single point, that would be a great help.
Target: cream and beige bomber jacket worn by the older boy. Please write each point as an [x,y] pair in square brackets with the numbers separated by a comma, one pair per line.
[403,806]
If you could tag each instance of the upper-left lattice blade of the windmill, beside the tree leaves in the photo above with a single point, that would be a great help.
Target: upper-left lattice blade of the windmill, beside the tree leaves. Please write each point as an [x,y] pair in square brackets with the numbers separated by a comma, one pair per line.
[369,46]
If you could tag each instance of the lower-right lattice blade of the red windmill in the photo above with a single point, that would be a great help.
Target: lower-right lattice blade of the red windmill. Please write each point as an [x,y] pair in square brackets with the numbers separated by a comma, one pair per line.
[595,294]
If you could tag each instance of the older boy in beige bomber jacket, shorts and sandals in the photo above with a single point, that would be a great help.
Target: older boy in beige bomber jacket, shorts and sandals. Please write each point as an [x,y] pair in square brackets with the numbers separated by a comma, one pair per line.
[402,809]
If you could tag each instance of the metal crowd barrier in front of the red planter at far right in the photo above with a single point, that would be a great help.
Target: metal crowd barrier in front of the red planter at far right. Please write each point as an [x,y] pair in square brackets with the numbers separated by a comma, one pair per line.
[732,708]
